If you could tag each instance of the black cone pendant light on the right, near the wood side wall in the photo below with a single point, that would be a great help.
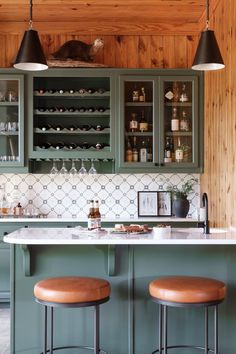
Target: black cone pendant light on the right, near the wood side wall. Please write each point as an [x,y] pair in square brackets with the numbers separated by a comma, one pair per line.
[208,55]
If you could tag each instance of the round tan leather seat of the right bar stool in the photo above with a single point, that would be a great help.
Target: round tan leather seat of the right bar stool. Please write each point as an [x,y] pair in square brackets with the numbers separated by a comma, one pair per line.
[186,289]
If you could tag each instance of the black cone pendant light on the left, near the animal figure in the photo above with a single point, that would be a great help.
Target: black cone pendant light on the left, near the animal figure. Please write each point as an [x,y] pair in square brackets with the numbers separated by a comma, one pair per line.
[30,55]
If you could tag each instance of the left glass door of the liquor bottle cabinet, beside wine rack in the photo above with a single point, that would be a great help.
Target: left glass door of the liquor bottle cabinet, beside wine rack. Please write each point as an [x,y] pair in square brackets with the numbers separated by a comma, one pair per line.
[137,122]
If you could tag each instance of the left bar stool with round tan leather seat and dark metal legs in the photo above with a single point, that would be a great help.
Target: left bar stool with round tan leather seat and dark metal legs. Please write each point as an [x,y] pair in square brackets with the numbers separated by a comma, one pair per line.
[71,292]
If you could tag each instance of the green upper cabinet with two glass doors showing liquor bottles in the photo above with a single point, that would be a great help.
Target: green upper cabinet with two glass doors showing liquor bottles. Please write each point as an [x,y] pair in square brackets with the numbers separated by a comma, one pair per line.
[160,121]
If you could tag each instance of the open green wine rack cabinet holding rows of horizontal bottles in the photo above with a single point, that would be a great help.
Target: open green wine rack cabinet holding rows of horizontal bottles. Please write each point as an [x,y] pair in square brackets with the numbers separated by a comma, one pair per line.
[71,114]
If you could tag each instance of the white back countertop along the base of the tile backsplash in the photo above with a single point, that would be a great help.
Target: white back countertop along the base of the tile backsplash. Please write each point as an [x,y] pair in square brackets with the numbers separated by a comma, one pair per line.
[118,220]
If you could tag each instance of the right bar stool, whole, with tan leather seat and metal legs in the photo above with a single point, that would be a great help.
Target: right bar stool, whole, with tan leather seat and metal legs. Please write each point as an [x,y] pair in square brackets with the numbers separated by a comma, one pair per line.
[186,291]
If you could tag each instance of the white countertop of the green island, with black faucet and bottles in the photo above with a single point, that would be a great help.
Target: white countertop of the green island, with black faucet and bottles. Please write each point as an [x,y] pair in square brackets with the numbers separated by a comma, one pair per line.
[79,236]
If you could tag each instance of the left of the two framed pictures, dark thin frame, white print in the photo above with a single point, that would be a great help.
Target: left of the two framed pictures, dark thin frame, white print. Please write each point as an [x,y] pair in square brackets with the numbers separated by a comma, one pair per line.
[147,204]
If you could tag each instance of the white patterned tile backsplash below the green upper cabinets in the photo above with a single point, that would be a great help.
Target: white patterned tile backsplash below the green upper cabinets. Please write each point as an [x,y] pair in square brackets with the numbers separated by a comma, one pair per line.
[68,197]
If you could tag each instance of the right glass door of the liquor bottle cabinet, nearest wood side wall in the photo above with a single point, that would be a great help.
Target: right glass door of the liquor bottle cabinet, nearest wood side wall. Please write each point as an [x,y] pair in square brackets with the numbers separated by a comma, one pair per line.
[179,122]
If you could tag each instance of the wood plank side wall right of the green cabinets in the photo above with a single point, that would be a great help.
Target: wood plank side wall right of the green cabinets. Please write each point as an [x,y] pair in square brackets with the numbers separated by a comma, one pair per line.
[219,178]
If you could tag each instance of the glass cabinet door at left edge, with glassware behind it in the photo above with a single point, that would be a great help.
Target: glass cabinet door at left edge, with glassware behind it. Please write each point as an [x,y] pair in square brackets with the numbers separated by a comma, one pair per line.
[11,121]
